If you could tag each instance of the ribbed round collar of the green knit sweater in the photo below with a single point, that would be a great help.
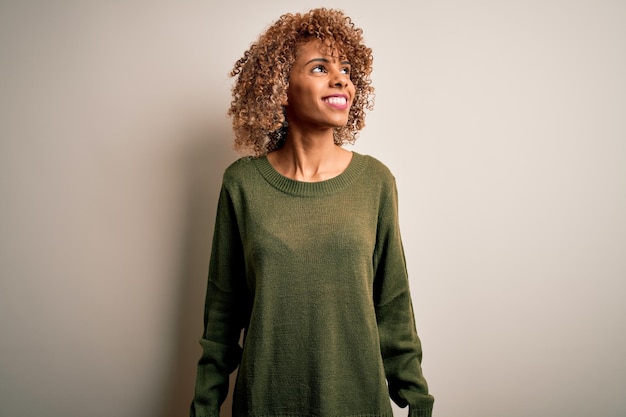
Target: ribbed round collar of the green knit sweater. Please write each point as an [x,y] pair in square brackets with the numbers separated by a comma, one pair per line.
[312,189]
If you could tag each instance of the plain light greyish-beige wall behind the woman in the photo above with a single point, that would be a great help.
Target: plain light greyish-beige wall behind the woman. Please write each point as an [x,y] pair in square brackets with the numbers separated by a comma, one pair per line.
[503,121]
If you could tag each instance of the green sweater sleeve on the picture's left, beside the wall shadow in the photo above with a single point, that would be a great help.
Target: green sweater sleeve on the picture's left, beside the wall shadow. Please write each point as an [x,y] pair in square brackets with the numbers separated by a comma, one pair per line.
[224,313]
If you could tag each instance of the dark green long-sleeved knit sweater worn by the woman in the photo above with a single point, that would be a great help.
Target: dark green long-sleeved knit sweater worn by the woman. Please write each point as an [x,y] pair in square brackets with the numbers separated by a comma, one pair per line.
[315,274]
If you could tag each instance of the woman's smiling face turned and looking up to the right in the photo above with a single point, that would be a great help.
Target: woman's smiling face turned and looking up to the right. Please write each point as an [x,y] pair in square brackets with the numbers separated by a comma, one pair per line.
[320,91]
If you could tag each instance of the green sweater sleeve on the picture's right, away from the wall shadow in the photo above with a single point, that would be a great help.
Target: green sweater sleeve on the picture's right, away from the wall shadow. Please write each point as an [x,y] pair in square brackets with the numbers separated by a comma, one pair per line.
[399,342]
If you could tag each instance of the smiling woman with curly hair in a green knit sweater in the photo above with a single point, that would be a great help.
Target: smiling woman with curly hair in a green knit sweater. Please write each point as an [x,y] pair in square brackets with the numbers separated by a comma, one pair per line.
[307,257]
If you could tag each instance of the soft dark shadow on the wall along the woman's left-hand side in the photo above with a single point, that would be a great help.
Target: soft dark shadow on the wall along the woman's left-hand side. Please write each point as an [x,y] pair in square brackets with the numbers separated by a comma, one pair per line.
[205,160]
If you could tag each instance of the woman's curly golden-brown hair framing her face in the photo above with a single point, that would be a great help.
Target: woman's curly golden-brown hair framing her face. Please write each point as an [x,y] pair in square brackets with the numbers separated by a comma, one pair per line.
[257,112]
